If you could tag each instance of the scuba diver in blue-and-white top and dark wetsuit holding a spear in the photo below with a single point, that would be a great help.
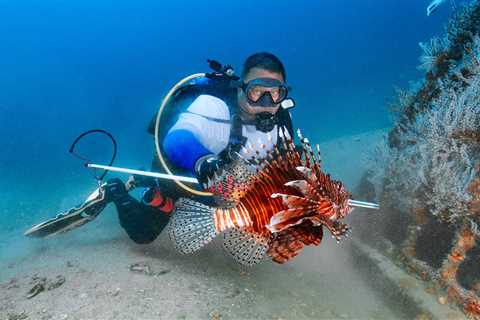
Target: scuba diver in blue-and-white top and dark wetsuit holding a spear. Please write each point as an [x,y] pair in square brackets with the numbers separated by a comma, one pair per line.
[220,118]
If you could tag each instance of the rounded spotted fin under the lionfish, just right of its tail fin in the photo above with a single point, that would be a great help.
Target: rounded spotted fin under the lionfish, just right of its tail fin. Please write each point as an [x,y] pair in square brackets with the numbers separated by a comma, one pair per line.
[245,247]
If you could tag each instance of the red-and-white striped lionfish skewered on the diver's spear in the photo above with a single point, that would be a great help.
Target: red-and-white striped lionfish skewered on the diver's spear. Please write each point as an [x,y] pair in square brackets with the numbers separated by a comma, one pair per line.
[272,206]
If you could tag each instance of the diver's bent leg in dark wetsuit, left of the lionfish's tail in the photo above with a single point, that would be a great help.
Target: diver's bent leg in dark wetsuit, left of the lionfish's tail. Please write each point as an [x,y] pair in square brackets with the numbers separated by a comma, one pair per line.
[142,223]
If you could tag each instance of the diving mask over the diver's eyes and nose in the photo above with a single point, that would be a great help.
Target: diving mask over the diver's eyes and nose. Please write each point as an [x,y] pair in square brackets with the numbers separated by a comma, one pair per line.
[265,92]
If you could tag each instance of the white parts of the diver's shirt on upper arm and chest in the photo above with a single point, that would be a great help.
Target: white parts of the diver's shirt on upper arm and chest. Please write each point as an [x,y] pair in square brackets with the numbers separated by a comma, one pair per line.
[208,119]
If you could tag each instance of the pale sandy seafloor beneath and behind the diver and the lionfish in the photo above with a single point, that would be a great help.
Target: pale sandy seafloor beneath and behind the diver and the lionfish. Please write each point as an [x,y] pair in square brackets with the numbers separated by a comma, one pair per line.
[95,259]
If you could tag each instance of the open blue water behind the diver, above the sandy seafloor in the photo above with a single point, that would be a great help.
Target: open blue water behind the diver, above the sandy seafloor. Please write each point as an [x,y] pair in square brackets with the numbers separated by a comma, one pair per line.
[69,67]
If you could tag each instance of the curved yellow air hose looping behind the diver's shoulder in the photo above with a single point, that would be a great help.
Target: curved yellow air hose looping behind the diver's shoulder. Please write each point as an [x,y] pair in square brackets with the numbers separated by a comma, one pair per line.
[157,127]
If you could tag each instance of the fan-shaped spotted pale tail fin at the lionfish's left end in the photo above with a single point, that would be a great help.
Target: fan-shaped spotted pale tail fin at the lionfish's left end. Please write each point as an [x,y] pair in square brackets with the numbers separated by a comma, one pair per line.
[191,226]
